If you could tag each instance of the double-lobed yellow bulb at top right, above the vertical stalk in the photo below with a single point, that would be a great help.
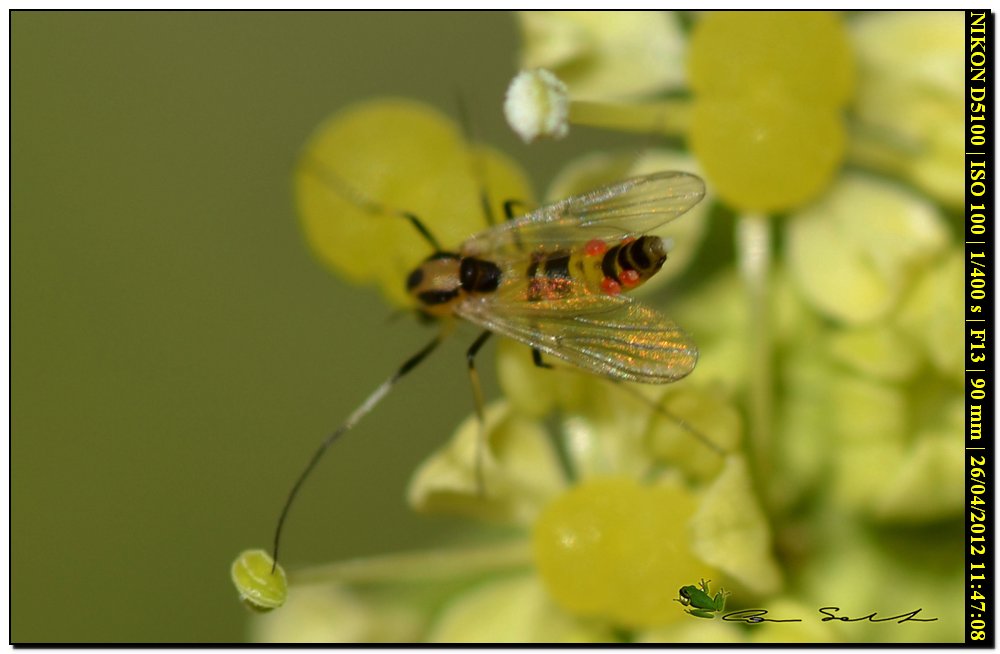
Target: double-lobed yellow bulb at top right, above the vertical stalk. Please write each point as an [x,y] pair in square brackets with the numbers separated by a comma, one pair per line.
[769,90]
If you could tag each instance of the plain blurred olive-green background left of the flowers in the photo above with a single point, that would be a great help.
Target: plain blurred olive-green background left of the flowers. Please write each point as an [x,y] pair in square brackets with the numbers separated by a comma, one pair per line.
[177,353]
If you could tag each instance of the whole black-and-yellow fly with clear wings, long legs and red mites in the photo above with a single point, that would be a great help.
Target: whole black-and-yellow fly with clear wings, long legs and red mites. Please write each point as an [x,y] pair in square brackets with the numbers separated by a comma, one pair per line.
[554,279]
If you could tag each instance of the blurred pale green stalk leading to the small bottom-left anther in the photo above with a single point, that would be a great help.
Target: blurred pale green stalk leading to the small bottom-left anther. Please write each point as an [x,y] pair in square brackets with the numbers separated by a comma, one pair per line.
[428,565]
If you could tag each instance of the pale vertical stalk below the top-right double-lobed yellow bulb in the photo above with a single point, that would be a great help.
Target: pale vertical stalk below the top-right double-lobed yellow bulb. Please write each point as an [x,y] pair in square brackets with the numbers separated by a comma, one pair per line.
[754,246]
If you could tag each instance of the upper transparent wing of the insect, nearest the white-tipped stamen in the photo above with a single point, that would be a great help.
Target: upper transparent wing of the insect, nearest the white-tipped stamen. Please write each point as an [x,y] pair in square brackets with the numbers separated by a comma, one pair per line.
[628,208]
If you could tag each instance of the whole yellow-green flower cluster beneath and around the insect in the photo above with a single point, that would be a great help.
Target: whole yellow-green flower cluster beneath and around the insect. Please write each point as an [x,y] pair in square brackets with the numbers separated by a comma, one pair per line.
[849,339]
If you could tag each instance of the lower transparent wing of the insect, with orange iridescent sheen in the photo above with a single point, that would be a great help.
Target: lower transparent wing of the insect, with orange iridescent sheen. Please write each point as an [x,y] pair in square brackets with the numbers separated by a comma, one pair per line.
[609,335]
